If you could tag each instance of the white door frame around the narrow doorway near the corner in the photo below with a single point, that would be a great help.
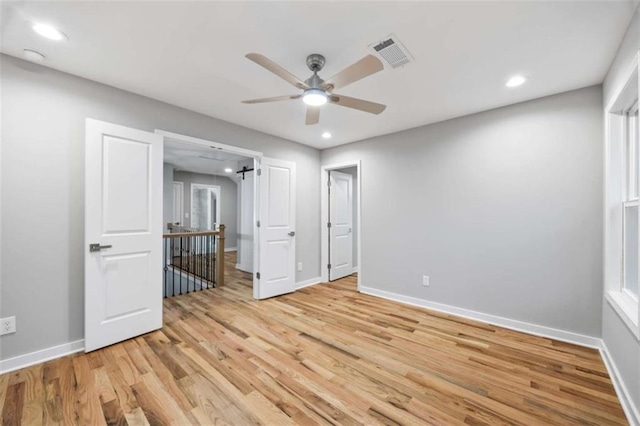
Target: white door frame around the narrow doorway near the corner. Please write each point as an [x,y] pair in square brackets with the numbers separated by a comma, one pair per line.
[324,217]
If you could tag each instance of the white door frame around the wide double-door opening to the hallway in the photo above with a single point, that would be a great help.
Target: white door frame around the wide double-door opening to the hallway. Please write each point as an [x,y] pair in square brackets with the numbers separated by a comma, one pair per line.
[256,155]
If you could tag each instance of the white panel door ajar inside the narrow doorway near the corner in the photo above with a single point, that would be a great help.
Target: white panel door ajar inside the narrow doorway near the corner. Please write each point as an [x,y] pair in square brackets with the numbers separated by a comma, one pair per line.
[341,218]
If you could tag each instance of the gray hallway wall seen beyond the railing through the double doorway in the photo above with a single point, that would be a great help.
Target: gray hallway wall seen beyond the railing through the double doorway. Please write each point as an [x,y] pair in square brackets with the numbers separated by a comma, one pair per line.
[228,200]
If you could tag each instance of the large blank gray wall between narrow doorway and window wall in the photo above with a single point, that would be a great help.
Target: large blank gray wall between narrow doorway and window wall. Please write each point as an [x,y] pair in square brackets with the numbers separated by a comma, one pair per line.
[502,209]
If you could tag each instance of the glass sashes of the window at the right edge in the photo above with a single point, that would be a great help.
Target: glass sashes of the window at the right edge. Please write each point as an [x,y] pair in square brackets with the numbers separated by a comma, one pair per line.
[630,231]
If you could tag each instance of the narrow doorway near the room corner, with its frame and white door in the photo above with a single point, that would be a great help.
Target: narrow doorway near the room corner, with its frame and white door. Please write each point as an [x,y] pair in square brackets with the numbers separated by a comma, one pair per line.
[341,236]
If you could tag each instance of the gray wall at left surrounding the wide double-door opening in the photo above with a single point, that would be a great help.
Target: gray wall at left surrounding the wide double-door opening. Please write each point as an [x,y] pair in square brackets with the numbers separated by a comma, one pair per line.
[43,116]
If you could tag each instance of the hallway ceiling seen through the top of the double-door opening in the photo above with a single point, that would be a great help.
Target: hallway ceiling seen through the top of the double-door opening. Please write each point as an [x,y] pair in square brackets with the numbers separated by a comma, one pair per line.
[191,158]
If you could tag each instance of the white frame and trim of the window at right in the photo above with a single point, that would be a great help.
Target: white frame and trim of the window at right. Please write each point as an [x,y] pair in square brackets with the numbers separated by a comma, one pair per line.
[622,183]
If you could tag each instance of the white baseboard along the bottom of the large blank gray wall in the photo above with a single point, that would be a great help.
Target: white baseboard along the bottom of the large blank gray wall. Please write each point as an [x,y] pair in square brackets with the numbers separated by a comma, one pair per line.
[525,327]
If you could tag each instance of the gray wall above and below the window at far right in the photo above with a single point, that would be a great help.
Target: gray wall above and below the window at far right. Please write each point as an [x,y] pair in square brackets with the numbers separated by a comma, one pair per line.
[622,344]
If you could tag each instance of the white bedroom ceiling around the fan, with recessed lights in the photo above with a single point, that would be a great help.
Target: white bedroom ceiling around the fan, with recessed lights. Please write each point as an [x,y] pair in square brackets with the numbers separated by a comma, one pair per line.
[191,54]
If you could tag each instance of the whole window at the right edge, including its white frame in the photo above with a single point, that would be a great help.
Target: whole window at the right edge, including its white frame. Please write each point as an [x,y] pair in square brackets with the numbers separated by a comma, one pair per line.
[622,201]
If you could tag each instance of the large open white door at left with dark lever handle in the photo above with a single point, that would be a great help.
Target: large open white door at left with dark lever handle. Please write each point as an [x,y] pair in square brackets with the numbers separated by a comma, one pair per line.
[123,233]
